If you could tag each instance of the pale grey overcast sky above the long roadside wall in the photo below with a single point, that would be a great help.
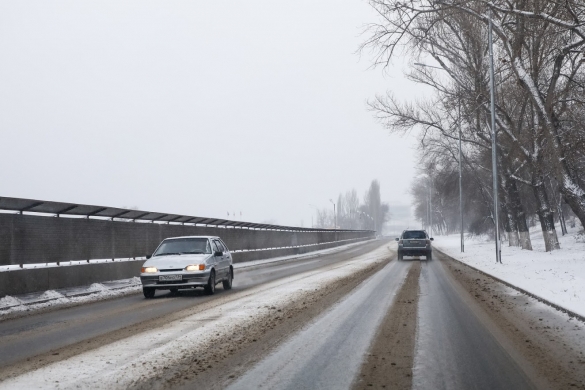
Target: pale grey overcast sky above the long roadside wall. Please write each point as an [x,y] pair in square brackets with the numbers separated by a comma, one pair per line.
[195,107]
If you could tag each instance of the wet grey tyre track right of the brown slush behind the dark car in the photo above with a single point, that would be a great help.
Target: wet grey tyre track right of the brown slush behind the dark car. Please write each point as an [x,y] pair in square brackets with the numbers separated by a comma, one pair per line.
[454,348]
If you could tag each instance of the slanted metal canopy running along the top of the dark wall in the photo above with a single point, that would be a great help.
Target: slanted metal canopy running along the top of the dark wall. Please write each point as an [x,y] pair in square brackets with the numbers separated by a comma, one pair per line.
[57,209]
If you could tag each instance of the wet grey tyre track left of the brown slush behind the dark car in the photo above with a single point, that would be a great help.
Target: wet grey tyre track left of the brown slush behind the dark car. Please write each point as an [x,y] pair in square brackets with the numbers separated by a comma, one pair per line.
[328,354]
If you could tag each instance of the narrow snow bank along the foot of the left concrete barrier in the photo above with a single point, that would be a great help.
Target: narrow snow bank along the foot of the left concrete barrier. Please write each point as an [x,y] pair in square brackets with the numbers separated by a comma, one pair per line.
[106,290]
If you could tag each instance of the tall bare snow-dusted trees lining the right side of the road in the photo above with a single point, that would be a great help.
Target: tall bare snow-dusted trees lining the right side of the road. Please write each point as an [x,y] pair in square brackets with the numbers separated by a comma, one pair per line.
[539,50]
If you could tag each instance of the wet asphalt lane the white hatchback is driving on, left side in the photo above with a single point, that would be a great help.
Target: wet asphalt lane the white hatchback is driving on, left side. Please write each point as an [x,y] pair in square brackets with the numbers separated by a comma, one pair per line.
[23,338]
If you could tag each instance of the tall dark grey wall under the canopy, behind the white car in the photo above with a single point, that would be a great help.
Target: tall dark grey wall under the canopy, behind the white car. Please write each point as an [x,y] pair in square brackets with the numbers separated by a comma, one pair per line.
[29,239]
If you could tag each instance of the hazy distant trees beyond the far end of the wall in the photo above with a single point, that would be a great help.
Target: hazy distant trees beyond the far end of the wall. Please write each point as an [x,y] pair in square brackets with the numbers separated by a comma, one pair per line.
[370,214]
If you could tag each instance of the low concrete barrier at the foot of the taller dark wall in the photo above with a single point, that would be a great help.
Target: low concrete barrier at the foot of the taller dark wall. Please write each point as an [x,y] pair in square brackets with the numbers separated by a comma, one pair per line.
[24,281]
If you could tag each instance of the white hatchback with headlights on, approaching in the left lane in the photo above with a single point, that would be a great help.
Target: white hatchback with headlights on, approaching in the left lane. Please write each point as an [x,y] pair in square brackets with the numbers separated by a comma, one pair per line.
[187,262]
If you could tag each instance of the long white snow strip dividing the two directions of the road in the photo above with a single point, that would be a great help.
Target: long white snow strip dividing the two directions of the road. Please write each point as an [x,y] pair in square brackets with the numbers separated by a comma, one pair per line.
[120,364]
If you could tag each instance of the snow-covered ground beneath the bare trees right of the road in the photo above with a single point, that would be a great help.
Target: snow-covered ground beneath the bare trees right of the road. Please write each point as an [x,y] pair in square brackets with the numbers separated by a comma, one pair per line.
[557,276]
